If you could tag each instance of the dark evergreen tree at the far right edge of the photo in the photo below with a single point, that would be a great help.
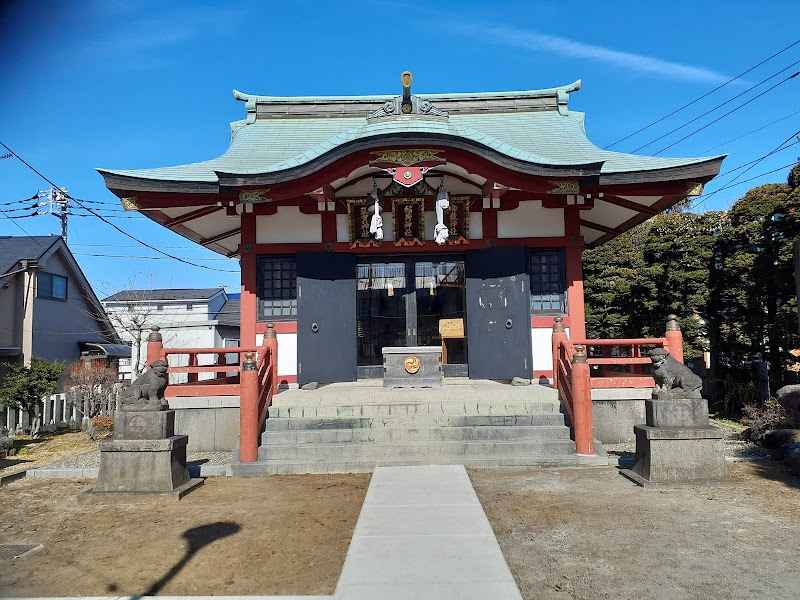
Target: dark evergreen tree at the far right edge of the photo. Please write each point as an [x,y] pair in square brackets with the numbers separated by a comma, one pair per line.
[754,307]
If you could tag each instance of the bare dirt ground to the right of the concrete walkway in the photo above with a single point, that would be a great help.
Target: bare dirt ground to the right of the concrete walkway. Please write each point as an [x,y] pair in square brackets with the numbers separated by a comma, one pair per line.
[592,534]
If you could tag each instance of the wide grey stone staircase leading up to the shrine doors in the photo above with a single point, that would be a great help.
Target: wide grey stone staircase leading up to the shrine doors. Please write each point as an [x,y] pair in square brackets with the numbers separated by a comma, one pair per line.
[354,427]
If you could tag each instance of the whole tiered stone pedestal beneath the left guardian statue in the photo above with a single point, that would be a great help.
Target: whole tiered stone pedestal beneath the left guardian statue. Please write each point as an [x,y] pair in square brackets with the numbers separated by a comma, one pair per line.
[144,461]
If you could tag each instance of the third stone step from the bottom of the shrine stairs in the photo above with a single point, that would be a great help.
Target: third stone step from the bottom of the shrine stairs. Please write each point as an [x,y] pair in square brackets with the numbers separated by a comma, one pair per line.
[426,434]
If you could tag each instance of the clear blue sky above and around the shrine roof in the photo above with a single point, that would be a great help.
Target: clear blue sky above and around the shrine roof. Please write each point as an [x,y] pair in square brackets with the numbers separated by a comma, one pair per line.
[128,85]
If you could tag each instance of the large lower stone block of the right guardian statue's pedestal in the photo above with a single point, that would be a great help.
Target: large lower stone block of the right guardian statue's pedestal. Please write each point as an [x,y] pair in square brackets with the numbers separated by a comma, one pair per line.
[678,455]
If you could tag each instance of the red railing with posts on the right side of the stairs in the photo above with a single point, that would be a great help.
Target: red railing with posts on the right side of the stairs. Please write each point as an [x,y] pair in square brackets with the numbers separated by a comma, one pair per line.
[582,365]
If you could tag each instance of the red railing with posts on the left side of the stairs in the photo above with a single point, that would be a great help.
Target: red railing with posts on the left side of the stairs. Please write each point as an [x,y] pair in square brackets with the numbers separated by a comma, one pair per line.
[254,379]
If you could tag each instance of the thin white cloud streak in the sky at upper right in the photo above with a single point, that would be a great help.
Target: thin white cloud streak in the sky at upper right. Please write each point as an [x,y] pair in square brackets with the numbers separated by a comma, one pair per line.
[532,40]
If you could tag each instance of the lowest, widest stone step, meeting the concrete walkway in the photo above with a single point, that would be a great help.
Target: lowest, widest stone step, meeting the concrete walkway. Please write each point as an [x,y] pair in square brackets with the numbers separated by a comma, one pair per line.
[284,467]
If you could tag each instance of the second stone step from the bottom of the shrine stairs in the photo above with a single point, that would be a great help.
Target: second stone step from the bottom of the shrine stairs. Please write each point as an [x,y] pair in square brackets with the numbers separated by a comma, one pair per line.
[433,452]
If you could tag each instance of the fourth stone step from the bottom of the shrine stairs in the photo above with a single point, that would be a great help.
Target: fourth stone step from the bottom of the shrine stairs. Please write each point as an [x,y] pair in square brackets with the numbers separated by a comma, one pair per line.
[415,421]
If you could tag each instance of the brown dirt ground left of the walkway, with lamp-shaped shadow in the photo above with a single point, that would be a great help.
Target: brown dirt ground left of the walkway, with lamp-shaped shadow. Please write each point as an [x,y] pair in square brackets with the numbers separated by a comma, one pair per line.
[260,536]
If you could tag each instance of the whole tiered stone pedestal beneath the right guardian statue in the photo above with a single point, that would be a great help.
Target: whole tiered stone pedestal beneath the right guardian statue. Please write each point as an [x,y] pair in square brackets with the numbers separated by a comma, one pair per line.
[678,445]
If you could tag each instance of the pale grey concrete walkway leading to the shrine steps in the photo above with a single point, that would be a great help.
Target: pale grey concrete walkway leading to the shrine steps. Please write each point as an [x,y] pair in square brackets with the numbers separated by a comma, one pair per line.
[422,533]
